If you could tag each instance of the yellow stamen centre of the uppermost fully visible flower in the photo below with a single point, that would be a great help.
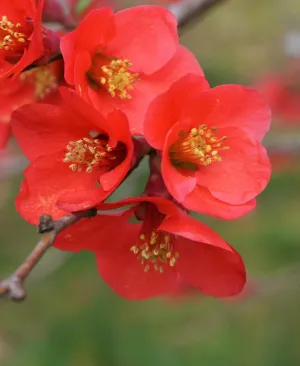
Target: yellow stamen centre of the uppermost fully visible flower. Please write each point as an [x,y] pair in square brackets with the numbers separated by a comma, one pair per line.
[115,76]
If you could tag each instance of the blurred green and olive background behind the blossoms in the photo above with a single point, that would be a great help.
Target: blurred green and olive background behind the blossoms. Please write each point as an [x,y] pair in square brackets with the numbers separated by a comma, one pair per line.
[72,318]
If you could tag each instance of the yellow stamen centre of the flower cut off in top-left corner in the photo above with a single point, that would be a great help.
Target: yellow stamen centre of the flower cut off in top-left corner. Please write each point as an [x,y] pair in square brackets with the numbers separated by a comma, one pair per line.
[12,36]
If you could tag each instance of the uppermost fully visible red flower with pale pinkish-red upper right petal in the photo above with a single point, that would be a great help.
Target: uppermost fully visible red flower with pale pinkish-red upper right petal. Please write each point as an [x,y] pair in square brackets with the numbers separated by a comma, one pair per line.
[124,60]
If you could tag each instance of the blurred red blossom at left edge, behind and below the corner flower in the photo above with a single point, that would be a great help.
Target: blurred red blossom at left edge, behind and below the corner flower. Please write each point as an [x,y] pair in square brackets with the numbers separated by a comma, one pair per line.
[35,85]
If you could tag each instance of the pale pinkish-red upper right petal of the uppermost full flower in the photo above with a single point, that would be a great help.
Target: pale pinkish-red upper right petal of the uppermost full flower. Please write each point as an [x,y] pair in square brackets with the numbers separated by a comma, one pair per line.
[146,35]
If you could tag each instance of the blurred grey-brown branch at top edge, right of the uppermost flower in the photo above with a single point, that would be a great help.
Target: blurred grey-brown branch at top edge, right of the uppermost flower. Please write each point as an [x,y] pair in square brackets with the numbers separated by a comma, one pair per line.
[187,11]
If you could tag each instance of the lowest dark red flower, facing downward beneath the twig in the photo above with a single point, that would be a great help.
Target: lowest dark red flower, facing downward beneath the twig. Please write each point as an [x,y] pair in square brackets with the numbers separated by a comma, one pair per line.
[143,260]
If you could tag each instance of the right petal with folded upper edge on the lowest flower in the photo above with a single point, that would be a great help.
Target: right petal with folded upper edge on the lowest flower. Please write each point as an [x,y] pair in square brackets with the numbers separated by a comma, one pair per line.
[206,261]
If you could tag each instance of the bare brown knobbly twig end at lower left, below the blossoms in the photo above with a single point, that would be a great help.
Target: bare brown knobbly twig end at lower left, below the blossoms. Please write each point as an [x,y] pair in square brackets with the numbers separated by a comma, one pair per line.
[13,286]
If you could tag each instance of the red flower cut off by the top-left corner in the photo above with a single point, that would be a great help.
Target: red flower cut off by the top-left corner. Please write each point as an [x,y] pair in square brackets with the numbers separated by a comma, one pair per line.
[21,36]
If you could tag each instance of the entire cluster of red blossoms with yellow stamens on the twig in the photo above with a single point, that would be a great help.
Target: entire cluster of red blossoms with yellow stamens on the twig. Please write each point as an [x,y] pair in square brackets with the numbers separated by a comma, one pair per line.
[90,101]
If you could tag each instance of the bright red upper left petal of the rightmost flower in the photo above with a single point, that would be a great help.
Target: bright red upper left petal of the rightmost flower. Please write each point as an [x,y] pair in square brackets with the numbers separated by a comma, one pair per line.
[166,109]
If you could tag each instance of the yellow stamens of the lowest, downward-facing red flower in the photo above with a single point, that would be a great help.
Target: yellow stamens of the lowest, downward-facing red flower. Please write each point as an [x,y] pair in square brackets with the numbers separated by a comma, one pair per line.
[155,250]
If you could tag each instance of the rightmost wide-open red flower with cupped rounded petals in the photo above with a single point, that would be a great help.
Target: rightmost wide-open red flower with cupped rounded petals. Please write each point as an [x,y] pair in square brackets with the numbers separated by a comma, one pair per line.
[212,159]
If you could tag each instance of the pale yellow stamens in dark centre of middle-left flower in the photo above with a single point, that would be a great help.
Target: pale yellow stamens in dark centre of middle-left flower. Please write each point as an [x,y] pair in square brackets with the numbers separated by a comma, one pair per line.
[88,154]
